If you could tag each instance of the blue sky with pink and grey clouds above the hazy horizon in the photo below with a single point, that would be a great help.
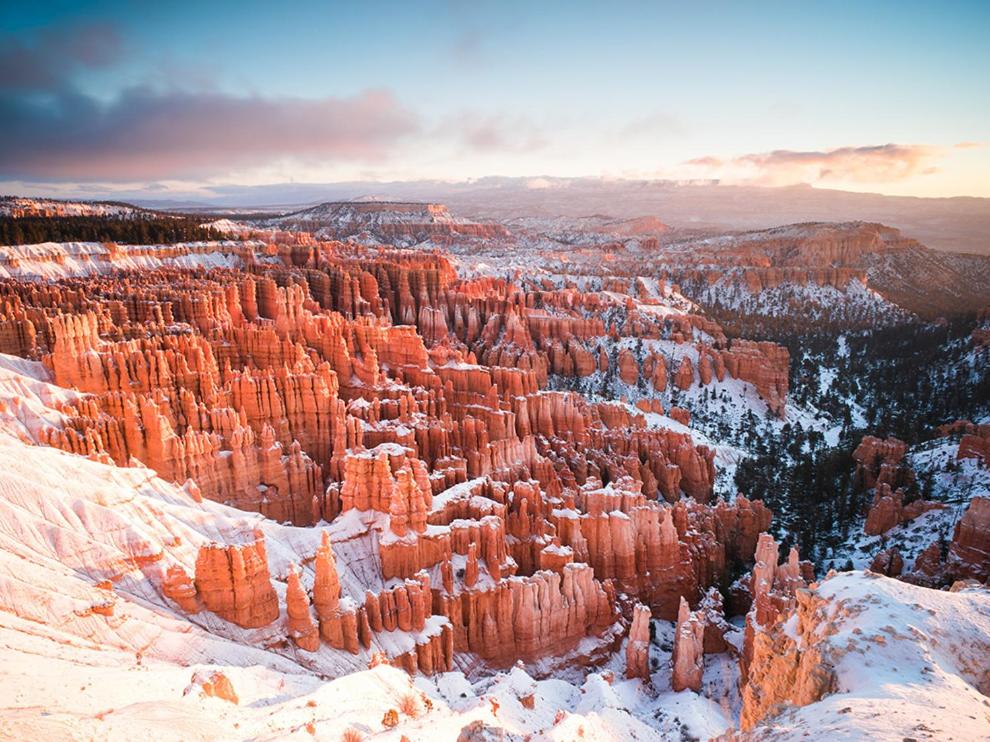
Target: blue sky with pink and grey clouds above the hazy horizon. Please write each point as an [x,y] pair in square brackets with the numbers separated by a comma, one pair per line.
[174,98]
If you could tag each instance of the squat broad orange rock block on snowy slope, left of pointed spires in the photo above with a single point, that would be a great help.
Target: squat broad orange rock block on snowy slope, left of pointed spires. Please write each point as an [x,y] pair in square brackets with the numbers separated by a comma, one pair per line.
[233,582]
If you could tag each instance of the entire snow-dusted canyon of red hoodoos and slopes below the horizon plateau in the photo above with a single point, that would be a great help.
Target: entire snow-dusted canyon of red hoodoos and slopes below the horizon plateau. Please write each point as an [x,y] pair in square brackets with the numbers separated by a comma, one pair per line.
[368,468]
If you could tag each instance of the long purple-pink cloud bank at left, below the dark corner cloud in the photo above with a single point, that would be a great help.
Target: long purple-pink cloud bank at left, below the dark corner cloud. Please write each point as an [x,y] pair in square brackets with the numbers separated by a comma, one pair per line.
[147,134]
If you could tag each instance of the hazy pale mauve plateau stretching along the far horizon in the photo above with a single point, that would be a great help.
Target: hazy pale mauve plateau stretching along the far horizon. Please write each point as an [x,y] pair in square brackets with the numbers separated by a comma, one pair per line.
[957,224]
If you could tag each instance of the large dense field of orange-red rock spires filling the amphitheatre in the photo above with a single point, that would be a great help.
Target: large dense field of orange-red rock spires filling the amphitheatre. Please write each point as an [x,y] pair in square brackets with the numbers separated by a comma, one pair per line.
[325,379]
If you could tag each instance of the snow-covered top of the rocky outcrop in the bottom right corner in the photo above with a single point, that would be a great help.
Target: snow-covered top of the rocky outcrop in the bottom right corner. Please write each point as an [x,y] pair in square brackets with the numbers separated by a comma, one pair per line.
[908,663]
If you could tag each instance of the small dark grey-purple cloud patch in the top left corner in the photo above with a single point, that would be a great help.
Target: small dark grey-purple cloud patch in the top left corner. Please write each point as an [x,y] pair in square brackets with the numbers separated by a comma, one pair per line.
[55,55]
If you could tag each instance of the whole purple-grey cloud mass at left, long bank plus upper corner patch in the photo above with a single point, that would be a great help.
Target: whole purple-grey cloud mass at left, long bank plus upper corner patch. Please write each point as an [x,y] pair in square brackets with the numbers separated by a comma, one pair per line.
[50,128]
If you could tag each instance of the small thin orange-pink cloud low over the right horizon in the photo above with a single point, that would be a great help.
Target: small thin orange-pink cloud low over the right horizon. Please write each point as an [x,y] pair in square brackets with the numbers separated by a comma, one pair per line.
[882,163]
